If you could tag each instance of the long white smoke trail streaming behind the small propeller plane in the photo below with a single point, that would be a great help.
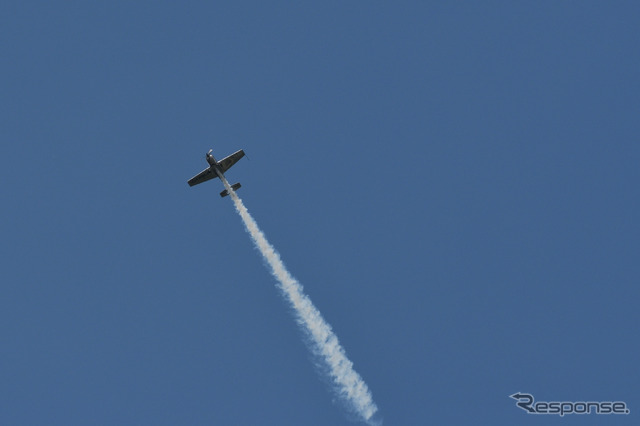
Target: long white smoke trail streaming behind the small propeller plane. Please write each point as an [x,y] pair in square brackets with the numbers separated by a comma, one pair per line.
[349,385]
